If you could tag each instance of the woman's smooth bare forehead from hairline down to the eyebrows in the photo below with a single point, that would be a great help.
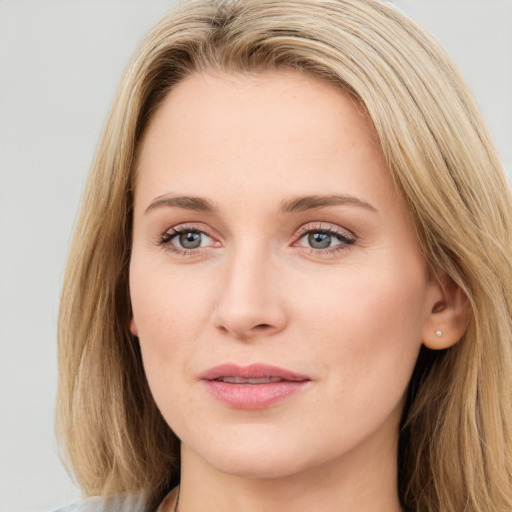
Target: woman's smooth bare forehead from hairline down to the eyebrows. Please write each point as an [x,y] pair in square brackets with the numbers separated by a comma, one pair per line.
[258,132]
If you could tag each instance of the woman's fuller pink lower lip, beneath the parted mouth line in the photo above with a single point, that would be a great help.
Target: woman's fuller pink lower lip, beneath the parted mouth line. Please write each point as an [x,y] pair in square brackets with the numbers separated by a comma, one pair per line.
[253,396]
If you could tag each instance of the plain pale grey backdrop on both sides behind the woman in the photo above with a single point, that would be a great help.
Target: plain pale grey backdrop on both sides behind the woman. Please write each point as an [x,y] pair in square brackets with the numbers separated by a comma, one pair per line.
[60,62]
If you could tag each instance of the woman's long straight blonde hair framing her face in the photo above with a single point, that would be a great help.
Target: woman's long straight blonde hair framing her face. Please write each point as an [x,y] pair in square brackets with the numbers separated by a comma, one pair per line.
[456,438]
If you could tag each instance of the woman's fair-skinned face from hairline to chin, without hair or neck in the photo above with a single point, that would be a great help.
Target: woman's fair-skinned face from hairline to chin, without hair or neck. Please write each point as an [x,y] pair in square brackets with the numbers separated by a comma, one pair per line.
[270,244]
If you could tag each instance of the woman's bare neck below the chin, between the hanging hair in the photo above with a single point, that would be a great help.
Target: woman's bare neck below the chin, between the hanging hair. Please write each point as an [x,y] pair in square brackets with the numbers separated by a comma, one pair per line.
[362,481]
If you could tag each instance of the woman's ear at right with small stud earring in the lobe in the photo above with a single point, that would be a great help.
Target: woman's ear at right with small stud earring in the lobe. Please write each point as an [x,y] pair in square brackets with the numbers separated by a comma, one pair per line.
[449,315]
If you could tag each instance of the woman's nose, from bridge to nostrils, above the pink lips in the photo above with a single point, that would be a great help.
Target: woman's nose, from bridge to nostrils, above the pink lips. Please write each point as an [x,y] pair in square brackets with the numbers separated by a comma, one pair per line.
[250,301]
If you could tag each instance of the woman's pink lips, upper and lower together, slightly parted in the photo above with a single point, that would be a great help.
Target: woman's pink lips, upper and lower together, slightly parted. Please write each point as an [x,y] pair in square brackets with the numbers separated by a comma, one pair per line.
[256,386]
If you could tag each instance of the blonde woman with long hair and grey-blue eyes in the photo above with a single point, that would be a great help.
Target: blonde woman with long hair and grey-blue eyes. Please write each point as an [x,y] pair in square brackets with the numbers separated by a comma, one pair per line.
[290,286]
